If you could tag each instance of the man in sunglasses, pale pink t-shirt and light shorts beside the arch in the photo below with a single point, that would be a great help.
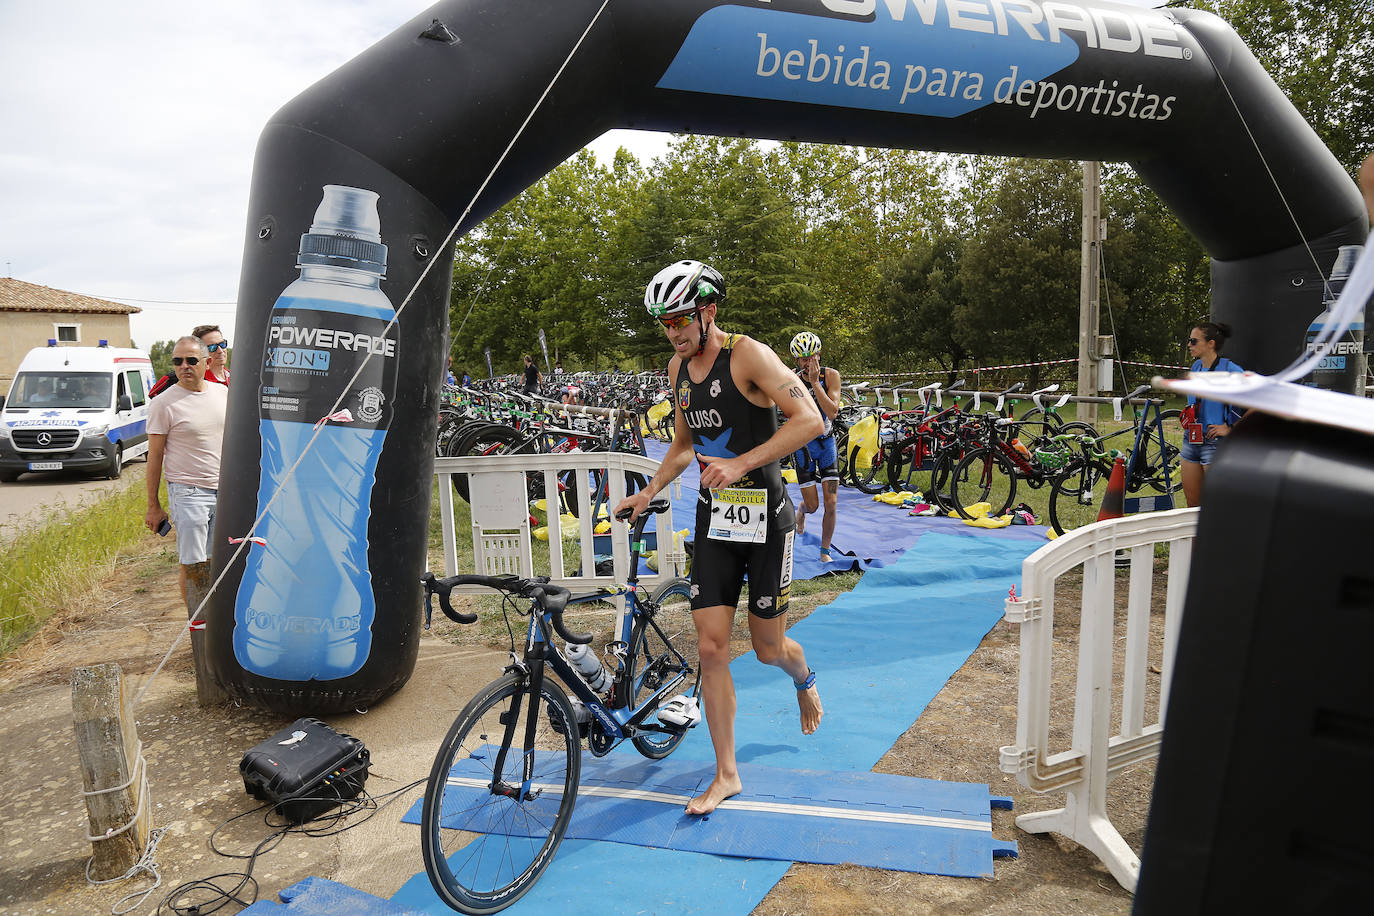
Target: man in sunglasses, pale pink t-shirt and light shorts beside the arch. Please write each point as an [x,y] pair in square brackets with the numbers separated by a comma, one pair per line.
[186,428]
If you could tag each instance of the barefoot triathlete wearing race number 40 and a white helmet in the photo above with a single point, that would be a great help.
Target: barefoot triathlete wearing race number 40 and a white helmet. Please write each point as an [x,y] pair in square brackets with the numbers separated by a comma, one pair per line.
[725,391]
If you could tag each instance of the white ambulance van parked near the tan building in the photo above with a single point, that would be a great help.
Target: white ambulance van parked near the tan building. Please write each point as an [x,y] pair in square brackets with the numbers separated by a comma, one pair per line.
[76,409]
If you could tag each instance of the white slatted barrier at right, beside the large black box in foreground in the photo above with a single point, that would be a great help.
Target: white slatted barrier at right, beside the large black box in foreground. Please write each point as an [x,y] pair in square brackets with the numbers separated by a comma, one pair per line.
[1096,756]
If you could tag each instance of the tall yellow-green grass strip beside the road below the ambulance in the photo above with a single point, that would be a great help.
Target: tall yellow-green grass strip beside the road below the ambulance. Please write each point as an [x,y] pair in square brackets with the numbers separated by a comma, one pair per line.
[45,569]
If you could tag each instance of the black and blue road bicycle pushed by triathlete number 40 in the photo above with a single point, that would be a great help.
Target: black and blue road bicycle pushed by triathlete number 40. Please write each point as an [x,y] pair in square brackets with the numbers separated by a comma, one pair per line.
[505,781]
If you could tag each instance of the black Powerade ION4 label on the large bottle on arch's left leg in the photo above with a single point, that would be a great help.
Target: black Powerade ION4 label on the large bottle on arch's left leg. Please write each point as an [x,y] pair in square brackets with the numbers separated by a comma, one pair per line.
[313,356]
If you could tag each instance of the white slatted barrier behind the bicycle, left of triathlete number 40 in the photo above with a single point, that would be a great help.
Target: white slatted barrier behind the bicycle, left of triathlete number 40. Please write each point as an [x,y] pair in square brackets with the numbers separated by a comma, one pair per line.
[504,540]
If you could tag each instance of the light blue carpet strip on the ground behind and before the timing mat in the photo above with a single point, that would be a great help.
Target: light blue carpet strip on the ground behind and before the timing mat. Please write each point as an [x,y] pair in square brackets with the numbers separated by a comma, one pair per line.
[881,653]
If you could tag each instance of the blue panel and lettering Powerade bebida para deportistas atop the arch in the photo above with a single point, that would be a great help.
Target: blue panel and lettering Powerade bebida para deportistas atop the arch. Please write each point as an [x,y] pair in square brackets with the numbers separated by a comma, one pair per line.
[941,58]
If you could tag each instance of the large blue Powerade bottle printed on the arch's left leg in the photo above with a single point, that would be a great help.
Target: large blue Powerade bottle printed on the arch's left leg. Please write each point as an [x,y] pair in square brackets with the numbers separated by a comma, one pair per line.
[306,606]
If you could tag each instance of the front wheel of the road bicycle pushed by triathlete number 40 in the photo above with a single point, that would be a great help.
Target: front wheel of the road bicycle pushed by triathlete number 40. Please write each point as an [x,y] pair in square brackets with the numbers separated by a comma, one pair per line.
[484,843]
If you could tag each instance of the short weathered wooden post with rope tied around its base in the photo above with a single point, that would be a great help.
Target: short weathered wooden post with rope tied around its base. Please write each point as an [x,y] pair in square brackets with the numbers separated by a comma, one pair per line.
[109,745]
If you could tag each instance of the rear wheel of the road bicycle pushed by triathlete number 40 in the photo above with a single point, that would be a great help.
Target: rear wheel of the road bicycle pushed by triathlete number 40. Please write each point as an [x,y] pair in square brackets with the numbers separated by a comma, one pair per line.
[663,648]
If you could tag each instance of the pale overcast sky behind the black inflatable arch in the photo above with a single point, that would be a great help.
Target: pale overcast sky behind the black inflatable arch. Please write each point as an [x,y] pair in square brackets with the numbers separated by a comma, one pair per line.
[127,137]
